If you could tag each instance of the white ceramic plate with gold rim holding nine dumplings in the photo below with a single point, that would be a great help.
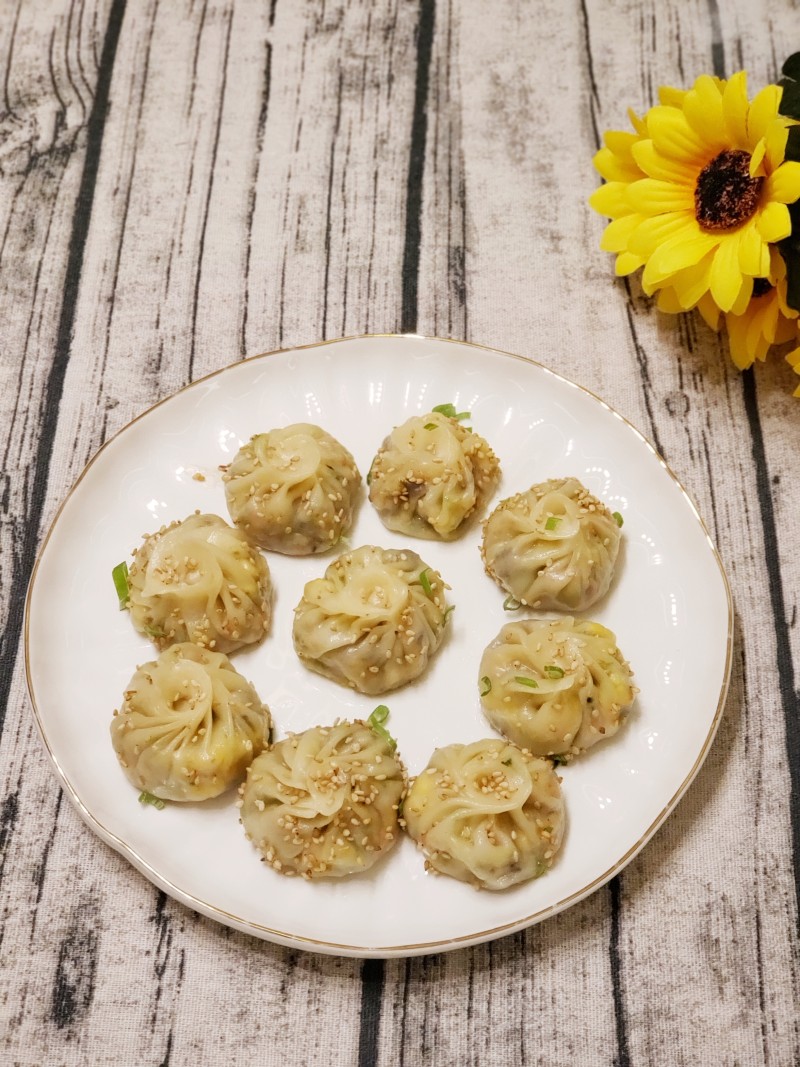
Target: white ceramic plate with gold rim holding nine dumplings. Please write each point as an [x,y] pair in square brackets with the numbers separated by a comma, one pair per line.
[669,606]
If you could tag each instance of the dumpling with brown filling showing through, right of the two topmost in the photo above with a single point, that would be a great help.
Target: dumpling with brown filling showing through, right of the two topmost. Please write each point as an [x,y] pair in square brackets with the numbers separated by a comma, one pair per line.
[430,475]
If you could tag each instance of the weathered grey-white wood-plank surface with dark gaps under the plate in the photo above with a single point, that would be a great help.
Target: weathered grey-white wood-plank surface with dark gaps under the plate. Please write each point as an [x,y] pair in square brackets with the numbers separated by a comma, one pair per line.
[186,184]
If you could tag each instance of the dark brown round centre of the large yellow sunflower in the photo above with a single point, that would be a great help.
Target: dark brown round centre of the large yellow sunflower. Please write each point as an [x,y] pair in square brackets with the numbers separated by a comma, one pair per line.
[726,196]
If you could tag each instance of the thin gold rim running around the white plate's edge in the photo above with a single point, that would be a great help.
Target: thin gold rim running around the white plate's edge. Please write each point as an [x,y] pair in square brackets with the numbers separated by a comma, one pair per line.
[283,937]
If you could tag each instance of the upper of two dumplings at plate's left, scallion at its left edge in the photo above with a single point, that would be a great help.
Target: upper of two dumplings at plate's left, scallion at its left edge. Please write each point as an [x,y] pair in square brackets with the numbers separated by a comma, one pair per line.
[200,581]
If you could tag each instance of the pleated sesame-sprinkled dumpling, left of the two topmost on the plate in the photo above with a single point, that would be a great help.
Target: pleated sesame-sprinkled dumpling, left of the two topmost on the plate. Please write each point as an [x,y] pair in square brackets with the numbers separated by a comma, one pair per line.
[293,490]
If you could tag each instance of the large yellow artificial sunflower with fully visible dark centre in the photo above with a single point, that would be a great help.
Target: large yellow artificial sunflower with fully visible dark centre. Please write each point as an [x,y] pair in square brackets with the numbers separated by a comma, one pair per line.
[699,192]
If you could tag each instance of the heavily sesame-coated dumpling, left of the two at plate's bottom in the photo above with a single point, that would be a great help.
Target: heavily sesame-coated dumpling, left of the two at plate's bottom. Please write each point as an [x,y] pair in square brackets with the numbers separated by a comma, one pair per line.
[325,804]
